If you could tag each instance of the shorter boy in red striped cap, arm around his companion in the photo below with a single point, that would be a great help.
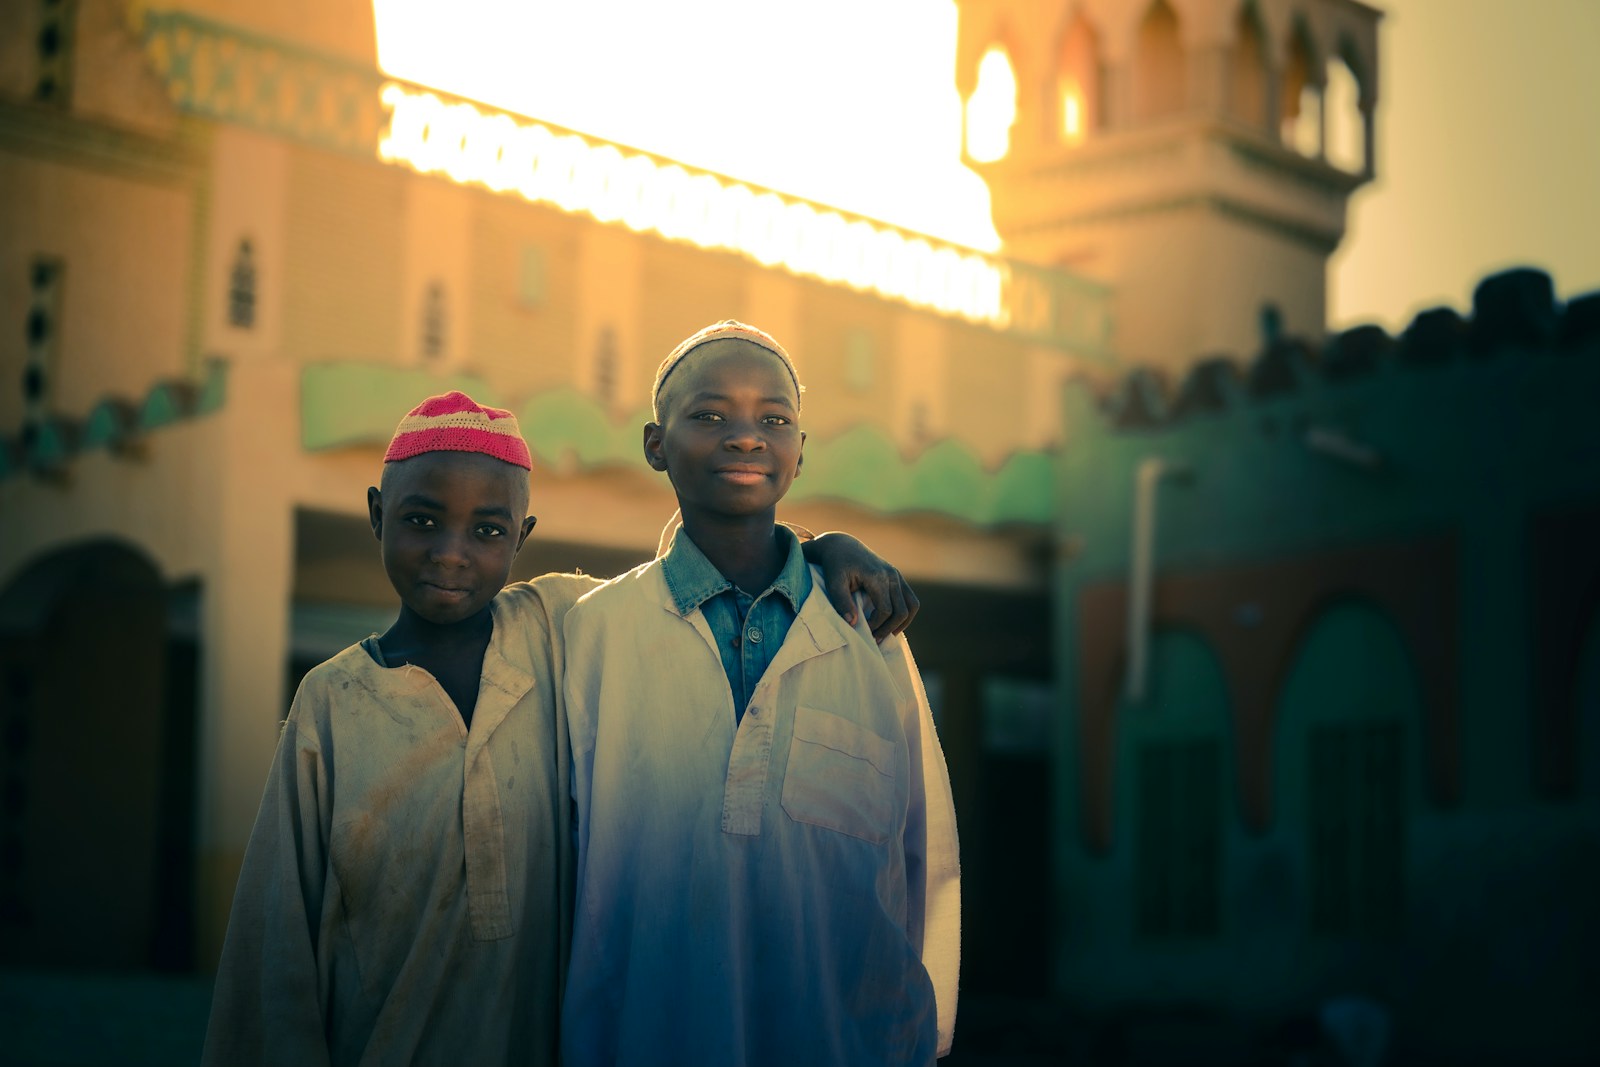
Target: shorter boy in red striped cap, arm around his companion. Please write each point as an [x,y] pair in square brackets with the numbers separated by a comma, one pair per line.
[407,892]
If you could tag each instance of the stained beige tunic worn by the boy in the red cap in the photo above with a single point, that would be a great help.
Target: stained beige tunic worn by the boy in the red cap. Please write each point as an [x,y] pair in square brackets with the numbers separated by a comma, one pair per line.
[407,890]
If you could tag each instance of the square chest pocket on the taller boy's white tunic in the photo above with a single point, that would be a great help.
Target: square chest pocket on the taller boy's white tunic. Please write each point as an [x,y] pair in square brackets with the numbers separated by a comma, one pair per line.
[841,777]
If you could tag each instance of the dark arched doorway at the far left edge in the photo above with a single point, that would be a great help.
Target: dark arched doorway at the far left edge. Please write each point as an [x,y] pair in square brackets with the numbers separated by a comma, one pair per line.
[89,833]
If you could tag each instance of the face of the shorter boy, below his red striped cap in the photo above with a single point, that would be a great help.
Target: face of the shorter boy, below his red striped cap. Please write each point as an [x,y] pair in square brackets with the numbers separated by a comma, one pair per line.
[450,526]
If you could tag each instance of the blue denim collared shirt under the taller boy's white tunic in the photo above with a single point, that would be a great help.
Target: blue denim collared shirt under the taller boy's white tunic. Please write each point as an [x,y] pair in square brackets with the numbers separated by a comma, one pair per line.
[750,629]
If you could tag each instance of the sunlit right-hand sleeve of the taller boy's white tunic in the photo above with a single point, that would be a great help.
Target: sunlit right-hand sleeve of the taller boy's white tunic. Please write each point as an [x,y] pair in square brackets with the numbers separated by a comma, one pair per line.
[934,865]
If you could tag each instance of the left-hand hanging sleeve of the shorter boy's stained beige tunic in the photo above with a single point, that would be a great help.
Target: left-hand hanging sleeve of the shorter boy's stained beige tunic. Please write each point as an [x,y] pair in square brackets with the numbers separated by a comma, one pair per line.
[268,1004]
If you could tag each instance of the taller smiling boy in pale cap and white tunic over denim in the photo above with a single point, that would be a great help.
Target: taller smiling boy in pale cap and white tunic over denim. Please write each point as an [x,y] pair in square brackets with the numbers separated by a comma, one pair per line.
[766,839]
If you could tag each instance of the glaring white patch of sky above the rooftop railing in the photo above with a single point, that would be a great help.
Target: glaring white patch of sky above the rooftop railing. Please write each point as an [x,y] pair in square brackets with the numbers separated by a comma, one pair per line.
[802,102]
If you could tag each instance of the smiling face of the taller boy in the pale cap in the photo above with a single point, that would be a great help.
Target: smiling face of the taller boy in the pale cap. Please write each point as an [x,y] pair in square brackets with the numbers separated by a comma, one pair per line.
[730,431]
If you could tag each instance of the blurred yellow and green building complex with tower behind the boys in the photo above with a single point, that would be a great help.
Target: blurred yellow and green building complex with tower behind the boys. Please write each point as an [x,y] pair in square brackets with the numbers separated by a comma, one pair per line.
[1266,660]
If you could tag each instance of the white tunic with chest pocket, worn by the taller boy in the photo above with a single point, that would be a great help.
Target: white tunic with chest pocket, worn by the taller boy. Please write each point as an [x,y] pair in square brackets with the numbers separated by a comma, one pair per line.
[778,892]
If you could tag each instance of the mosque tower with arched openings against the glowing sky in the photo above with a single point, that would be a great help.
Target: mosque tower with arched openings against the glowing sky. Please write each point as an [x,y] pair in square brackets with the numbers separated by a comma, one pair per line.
[1194,154]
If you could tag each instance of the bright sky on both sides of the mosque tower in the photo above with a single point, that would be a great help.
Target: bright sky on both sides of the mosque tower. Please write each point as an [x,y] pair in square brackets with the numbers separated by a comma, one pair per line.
[1489,140]
